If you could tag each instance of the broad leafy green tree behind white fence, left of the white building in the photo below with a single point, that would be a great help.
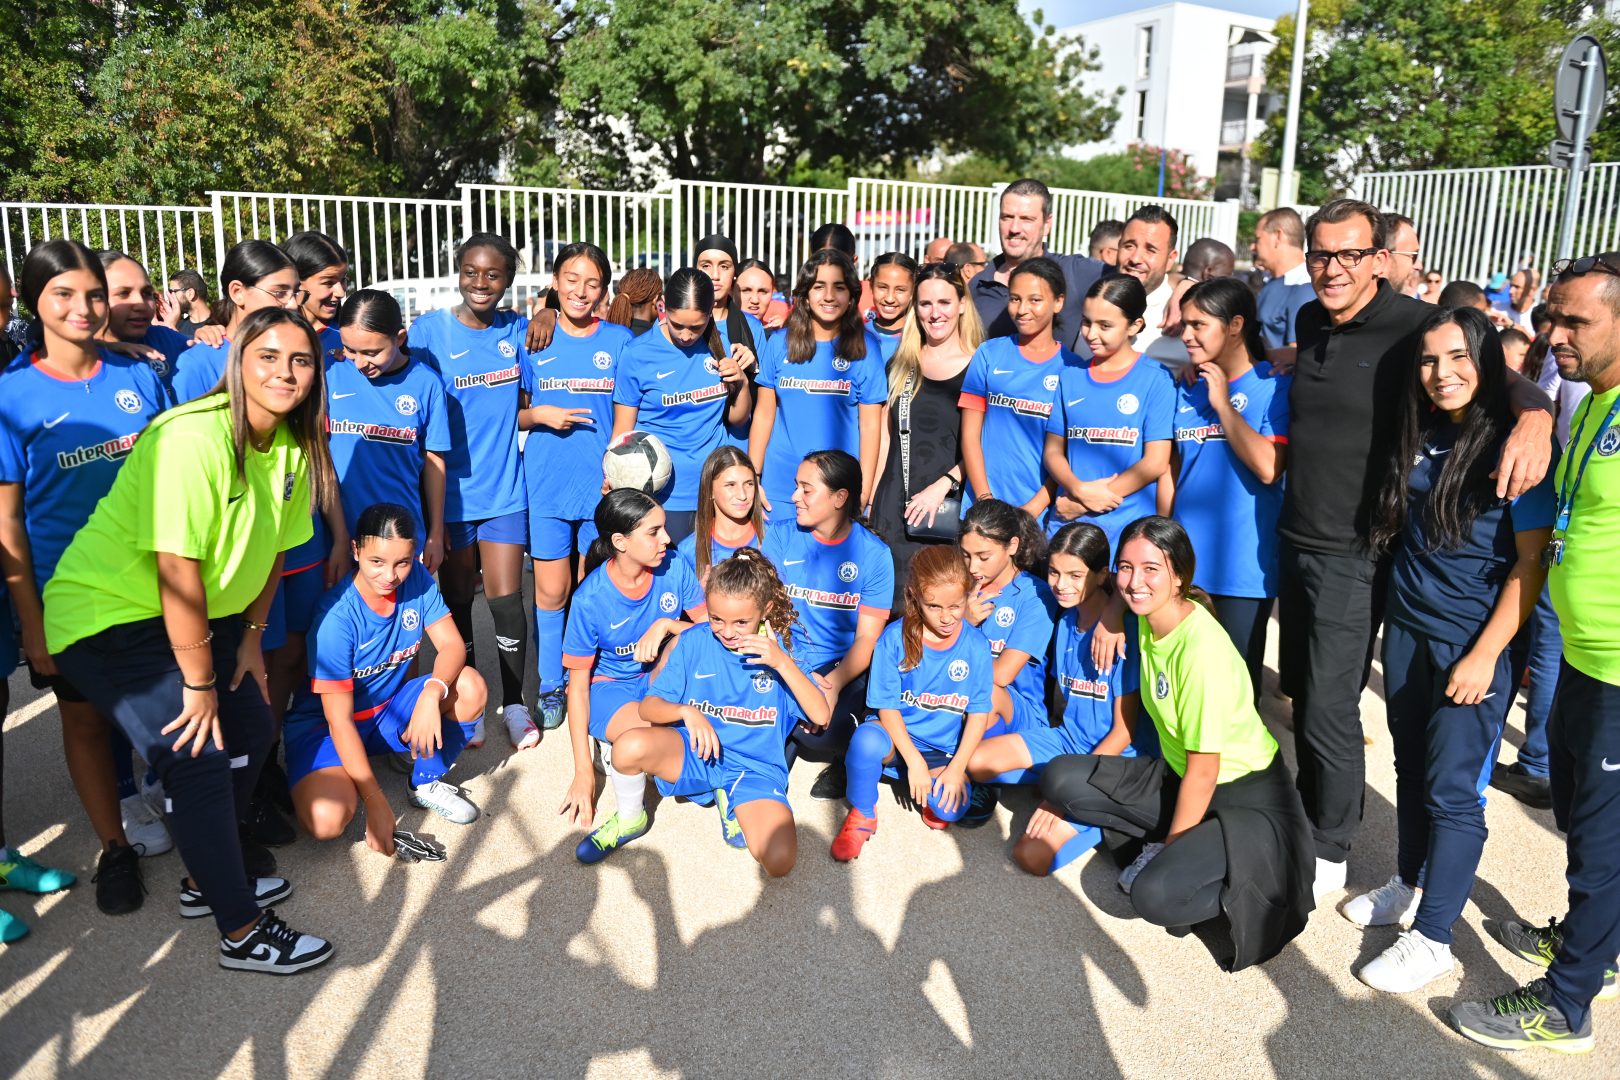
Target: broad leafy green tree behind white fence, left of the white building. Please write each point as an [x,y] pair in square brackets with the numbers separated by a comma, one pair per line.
[761,90]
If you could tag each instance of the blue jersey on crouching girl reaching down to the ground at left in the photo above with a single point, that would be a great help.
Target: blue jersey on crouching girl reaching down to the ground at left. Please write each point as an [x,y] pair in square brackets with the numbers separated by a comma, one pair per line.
[364,650]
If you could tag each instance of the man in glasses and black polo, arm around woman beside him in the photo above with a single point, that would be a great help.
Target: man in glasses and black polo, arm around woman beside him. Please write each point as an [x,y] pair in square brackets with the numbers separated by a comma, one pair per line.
[1357,346]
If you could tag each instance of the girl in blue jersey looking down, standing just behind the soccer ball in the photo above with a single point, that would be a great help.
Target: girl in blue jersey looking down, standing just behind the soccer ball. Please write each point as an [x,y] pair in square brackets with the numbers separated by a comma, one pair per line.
[681,383]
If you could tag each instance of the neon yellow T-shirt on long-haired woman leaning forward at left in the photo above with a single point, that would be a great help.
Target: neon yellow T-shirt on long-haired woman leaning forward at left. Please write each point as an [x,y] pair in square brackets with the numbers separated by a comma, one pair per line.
[181,493]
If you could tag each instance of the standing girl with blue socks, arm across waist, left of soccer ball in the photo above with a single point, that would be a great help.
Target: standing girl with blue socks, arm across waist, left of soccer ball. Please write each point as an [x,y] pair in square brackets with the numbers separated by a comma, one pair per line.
[566,407]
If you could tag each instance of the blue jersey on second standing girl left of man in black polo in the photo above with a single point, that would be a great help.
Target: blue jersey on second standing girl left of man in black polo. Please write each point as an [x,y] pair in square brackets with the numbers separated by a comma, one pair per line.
[1107,427]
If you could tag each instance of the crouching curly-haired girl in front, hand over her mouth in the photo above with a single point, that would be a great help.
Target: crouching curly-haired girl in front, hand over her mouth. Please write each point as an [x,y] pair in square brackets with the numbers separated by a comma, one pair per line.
[735,691]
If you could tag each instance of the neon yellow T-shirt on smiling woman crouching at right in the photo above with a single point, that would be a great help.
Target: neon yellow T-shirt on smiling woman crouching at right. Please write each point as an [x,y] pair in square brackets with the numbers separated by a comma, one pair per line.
[1198,692]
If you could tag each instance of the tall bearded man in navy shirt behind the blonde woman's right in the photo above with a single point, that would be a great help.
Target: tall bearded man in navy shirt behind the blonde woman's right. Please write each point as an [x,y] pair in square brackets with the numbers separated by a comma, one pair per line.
[1025,224]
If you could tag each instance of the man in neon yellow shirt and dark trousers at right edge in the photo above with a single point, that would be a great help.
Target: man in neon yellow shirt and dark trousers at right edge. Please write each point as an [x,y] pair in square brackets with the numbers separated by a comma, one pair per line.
[1584,729]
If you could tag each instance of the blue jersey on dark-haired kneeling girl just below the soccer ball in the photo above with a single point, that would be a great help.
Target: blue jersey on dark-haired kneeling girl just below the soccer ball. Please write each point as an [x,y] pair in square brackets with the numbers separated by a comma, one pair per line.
[605,623]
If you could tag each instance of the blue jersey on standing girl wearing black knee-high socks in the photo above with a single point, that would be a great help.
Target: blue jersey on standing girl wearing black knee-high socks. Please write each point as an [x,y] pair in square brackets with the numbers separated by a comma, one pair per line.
[480,372]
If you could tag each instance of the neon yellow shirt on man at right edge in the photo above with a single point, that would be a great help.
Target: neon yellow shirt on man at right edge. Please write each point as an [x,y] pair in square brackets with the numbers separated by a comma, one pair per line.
[1584,584]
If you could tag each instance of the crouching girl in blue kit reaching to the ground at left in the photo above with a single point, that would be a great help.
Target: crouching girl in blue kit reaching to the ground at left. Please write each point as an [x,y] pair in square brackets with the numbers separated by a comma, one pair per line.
[362,699]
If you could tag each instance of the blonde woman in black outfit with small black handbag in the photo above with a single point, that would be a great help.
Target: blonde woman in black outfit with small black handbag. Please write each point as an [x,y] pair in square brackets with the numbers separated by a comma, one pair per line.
[926,378]
